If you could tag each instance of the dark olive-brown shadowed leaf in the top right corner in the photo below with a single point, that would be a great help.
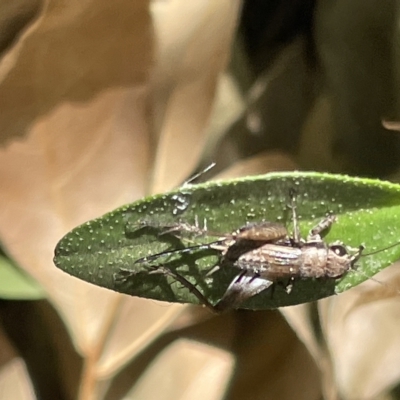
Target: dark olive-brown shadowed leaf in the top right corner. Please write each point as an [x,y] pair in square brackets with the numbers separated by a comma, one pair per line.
[354,43]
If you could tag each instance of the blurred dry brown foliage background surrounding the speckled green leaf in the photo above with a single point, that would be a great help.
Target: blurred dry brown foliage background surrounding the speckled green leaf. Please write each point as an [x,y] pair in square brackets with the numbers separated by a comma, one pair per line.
[104,102]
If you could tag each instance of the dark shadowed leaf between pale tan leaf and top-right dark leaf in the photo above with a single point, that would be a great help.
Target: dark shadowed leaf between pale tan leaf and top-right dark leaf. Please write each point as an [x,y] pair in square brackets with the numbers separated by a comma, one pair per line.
[267,120]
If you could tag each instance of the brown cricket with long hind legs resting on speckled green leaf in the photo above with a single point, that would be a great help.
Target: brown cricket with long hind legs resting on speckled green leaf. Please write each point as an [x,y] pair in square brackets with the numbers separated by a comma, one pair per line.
[265,254]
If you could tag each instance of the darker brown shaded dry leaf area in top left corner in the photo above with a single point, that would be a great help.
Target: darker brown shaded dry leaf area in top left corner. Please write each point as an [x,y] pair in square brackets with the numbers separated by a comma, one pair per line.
[72,54]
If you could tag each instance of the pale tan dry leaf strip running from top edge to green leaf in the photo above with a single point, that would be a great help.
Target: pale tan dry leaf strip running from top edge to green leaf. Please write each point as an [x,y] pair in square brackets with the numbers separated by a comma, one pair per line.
[191,58]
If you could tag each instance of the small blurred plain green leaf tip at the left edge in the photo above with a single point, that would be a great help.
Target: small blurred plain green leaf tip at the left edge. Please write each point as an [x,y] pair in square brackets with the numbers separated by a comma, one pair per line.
[15,284]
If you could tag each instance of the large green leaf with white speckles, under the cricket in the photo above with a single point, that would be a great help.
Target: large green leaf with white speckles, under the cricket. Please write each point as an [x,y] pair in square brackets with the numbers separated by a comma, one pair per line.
[368,213]
